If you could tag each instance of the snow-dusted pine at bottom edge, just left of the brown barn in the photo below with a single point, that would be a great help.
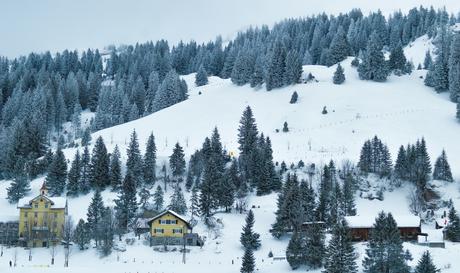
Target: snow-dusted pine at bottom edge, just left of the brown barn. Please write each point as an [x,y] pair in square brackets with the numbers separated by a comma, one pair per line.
[340,255]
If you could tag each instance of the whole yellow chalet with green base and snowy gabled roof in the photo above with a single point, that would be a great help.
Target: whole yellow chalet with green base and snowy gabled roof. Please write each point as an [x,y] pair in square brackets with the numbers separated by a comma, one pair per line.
[169,228]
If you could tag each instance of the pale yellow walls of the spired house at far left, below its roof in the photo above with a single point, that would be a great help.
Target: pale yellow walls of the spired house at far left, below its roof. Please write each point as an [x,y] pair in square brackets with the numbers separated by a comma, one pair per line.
[41,224]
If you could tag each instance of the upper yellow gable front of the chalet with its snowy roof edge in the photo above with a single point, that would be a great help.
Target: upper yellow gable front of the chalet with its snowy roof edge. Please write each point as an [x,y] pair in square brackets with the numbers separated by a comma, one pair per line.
[169,224]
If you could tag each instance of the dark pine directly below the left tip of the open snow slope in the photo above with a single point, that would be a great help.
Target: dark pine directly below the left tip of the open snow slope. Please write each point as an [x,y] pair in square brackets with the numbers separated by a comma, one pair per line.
[99,168]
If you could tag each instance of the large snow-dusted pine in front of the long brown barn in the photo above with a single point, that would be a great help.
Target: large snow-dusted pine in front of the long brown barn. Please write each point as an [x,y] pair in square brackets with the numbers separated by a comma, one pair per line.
[384,251]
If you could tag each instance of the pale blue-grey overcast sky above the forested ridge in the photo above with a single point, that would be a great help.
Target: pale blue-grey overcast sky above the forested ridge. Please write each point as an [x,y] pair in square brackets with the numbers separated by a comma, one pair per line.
[40,25]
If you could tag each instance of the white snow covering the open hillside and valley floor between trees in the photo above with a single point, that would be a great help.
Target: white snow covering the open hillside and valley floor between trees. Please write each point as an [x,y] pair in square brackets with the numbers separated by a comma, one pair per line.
[399,111]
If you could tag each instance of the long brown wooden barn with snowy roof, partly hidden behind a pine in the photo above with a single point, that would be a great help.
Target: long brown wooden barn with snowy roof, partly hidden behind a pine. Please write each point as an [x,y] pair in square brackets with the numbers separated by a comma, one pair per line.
[360,226]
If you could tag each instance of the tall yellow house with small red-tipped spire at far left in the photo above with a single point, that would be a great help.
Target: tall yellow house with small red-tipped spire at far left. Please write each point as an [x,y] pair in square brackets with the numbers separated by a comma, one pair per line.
[41,219]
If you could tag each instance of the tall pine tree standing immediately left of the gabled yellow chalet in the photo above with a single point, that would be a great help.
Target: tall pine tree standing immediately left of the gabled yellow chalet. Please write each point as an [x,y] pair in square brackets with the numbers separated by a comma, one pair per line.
[126,204]
